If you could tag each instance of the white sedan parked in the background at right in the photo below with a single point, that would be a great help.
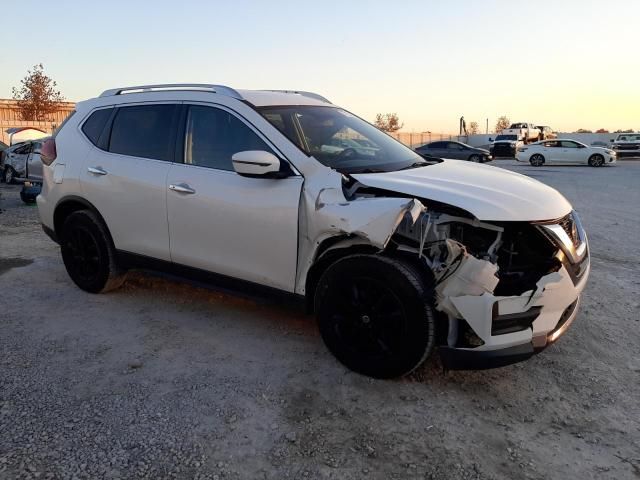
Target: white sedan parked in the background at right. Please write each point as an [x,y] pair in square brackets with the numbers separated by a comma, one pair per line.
[564,151]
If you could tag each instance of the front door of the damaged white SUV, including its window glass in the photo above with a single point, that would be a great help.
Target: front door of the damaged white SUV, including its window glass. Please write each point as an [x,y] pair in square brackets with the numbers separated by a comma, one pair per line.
[220,221]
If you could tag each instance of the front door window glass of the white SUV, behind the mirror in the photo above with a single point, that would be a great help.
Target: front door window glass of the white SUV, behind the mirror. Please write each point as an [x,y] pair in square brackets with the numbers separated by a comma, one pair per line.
[213,136]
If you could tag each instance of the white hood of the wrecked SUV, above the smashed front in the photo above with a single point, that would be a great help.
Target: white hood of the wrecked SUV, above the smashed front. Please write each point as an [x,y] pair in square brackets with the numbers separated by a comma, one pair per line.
[488,193]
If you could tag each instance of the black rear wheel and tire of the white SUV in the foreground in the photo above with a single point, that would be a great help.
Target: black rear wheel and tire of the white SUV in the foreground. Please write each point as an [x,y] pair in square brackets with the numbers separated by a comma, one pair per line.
[88,253]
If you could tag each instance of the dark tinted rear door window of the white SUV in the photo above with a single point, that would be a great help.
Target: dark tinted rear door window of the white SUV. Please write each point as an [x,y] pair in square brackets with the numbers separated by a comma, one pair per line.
[143,131]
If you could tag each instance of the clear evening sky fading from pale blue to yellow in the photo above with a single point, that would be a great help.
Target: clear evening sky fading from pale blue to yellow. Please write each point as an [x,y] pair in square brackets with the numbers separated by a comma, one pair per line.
[564,63]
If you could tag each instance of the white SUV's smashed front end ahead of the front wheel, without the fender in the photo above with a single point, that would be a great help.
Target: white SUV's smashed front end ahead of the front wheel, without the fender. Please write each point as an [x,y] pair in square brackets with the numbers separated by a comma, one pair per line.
[506,289]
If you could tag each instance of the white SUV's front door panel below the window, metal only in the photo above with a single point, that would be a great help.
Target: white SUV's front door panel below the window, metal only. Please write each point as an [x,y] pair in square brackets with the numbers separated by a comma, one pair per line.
[242,227]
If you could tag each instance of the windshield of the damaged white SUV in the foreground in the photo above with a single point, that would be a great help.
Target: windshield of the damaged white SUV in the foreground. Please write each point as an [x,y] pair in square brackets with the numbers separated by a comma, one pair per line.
[340,140]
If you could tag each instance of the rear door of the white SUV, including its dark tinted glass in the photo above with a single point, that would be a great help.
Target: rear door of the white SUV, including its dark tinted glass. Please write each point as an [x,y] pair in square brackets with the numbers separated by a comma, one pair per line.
[125,175]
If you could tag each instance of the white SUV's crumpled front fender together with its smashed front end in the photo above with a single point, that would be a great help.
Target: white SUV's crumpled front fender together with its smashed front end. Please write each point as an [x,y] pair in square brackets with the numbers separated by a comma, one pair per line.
[505,290]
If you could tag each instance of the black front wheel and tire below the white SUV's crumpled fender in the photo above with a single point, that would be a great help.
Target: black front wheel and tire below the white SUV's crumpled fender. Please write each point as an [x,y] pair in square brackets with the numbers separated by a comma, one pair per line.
[375,315]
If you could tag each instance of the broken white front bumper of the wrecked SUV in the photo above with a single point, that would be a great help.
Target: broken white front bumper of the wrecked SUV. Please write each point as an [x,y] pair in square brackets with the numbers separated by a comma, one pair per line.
[556,299]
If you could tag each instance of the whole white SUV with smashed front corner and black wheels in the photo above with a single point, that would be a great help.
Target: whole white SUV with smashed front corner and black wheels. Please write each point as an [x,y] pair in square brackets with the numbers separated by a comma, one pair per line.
[394,253]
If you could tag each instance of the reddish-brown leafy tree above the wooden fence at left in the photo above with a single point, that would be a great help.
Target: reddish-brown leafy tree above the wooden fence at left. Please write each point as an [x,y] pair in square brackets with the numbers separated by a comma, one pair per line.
[37,96]
